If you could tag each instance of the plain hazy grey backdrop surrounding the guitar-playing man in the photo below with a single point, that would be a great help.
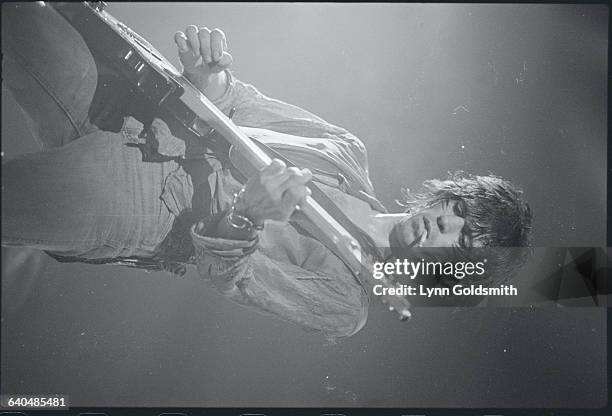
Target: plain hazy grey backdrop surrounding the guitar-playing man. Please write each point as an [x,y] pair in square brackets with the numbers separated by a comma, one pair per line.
[517,90]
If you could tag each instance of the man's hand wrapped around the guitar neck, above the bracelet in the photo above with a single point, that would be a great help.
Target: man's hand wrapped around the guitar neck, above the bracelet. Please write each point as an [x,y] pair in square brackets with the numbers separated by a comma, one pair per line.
[274,193]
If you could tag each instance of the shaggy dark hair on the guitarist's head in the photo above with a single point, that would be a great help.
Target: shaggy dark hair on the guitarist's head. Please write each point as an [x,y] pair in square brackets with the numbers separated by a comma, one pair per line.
[496,214]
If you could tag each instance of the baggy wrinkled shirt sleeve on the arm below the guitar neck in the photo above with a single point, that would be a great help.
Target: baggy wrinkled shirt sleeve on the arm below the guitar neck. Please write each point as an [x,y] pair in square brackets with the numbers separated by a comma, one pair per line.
[302,282]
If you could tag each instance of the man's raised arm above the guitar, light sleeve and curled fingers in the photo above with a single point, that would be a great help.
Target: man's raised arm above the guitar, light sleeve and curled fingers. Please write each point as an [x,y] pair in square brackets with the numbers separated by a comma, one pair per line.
[206,60]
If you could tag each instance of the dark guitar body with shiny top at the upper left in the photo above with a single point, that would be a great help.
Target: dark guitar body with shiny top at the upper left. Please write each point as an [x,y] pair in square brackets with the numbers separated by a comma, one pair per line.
[148,82]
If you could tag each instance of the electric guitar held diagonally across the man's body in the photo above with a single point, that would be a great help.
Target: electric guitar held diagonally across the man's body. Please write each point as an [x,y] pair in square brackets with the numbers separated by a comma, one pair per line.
[156,79]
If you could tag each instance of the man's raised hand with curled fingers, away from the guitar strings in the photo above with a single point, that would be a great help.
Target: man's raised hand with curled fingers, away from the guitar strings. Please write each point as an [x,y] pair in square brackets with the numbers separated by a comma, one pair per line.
[203,54]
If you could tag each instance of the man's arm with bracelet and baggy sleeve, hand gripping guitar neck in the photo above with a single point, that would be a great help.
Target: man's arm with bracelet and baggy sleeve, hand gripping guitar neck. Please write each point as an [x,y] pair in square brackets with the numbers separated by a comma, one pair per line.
[278,271]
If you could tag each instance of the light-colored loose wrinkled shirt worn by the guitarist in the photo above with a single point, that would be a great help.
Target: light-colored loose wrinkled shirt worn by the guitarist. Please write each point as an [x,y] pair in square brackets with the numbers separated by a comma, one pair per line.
[284,272]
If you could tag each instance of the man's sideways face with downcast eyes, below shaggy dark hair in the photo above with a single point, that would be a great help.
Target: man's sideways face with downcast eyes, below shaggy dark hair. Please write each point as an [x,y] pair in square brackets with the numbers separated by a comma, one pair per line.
[441,225]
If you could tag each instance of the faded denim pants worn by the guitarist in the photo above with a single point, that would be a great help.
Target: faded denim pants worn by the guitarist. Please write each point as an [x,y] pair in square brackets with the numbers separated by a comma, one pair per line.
[85,193]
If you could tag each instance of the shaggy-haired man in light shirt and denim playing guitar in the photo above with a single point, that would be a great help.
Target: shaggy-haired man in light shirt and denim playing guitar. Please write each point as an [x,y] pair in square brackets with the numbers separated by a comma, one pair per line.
[90,197]
